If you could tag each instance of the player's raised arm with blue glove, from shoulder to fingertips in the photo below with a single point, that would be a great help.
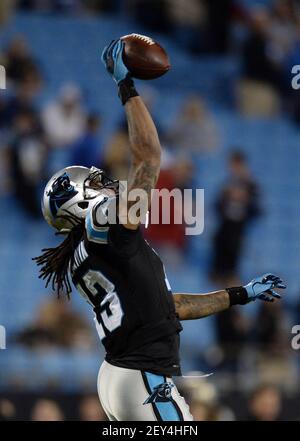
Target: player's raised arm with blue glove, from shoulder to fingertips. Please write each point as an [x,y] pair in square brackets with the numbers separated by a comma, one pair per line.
[144,143]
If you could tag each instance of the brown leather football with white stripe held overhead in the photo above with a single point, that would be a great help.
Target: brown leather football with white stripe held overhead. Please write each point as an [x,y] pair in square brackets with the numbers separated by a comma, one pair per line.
[144,57]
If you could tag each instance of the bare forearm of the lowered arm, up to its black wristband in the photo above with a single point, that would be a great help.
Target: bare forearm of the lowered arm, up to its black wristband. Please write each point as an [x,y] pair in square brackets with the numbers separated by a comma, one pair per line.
[196,306]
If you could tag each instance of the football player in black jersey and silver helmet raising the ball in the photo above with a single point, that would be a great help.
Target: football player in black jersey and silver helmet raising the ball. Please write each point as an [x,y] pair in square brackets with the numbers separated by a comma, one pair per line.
[137,316]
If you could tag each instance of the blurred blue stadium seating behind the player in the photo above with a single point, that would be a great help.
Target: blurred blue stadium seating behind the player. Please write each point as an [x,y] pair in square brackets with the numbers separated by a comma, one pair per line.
[272,146]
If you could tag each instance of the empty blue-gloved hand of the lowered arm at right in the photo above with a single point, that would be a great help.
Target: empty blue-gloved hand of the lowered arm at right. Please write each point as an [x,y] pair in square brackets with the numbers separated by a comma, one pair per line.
[263,288]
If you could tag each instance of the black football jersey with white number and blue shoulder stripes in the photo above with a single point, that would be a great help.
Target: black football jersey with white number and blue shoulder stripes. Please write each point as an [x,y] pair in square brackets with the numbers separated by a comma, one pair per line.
[124,280]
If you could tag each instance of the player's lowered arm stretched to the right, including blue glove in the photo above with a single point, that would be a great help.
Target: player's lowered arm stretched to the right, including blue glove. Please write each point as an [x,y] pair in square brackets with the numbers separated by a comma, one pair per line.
[195,306]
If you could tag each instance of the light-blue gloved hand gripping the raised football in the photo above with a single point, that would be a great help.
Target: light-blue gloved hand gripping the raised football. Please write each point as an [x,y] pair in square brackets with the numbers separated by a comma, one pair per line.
[113,61]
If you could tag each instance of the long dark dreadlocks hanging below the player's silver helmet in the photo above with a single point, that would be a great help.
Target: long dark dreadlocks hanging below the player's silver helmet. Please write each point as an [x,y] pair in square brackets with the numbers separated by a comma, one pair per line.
[57,262]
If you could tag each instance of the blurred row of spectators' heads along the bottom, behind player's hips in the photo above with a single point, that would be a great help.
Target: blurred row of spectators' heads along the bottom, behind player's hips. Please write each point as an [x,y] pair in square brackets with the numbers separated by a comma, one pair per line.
[264,403]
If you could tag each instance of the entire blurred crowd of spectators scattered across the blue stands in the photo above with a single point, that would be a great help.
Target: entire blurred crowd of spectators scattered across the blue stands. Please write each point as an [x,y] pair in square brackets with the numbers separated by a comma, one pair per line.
[36,141]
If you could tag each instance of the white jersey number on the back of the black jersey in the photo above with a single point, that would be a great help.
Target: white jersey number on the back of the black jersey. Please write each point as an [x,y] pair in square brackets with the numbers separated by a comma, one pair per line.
[111,314]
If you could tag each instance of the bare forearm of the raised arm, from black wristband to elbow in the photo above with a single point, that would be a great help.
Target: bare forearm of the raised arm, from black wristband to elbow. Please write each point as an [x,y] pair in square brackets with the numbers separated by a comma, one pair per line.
[143,137]
